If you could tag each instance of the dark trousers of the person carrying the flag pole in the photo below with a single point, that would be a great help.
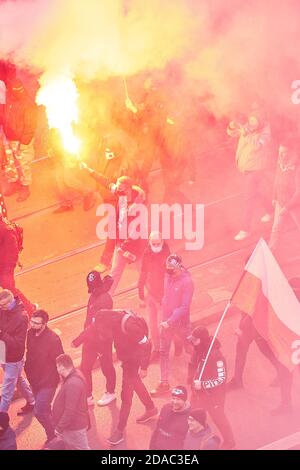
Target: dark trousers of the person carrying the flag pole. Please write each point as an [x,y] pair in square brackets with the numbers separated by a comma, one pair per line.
[214,405]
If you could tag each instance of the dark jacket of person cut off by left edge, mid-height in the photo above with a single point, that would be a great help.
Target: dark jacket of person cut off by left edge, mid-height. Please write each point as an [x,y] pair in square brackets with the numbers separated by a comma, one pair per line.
[8,246]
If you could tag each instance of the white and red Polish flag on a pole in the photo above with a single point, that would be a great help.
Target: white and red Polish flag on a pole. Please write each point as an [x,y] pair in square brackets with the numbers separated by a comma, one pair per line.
[265,294]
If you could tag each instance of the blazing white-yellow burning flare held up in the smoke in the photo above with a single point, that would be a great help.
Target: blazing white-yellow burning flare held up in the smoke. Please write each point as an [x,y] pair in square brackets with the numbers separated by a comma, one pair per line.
[60,98]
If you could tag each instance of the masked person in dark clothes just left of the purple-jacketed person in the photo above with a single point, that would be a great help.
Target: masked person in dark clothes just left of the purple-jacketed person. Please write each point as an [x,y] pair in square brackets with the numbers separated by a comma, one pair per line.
[152,278]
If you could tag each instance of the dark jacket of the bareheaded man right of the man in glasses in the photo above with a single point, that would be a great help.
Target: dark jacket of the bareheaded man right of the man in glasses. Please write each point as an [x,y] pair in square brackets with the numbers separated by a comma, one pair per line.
[70,409]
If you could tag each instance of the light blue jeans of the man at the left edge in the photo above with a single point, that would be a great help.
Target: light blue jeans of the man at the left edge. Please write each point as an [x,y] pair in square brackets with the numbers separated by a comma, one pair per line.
[12,379]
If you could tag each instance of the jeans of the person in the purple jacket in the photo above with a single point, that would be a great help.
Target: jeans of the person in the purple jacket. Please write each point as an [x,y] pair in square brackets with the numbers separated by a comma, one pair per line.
[166,337]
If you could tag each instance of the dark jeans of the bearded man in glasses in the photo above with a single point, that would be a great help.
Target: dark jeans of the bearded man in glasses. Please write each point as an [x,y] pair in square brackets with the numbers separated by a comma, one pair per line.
[42,409]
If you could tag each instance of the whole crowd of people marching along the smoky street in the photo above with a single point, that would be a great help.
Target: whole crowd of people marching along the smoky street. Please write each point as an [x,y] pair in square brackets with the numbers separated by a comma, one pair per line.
[59,394]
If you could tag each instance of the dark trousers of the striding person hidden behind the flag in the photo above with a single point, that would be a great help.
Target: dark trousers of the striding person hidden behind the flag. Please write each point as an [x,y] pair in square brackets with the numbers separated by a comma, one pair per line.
[243,344]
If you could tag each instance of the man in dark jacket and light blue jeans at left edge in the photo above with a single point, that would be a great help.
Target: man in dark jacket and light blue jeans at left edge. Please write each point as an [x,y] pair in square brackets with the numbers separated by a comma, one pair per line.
[13,331]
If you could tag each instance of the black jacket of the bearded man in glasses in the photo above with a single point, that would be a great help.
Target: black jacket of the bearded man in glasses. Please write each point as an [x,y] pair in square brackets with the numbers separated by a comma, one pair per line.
[40,365]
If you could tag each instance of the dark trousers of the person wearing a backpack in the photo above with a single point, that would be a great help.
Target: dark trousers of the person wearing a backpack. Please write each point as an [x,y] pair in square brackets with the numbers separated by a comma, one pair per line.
[131,382]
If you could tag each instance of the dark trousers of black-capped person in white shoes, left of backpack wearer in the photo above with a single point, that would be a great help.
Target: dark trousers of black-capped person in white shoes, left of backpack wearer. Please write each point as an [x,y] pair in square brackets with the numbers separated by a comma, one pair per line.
[89,357]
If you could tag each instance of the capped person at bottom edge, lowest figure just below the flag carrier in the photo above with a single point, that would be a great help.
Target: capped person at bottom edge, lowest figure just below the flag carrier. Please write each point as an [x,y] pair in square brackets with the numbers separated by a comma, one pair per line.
[199,435]
